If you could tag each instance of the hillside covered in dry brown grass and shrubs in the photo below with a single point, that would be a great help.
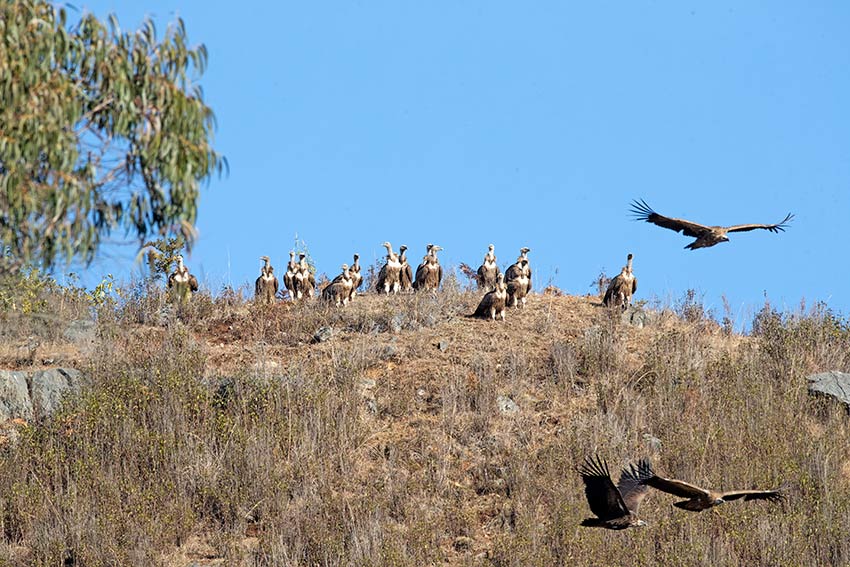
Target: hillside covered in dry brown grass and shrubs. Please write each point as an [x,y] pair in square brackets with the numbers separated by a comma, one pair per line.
[223,434]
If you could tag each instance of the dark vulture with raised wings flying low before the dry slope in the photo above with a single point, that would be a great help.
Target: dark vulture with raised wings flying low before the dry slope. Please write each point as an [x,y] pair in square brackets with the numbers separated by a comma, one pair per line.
[615,507]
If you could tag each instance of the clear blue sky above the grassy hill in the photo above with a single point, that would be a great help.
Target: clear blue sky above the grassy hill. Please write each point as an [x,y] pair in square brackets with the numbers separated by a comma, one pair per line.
[462,124]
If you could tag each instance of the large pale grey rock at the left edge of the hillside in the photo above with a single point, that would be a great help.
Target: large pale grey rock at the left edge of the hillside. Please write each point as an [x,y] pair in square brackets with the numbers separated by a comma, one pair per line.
[36,395]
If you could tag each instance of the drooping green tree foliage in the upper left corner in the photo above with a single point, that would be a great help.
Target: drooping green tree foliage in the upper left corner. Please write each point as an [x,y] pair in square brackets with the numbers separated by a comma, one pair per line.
[100,130]
